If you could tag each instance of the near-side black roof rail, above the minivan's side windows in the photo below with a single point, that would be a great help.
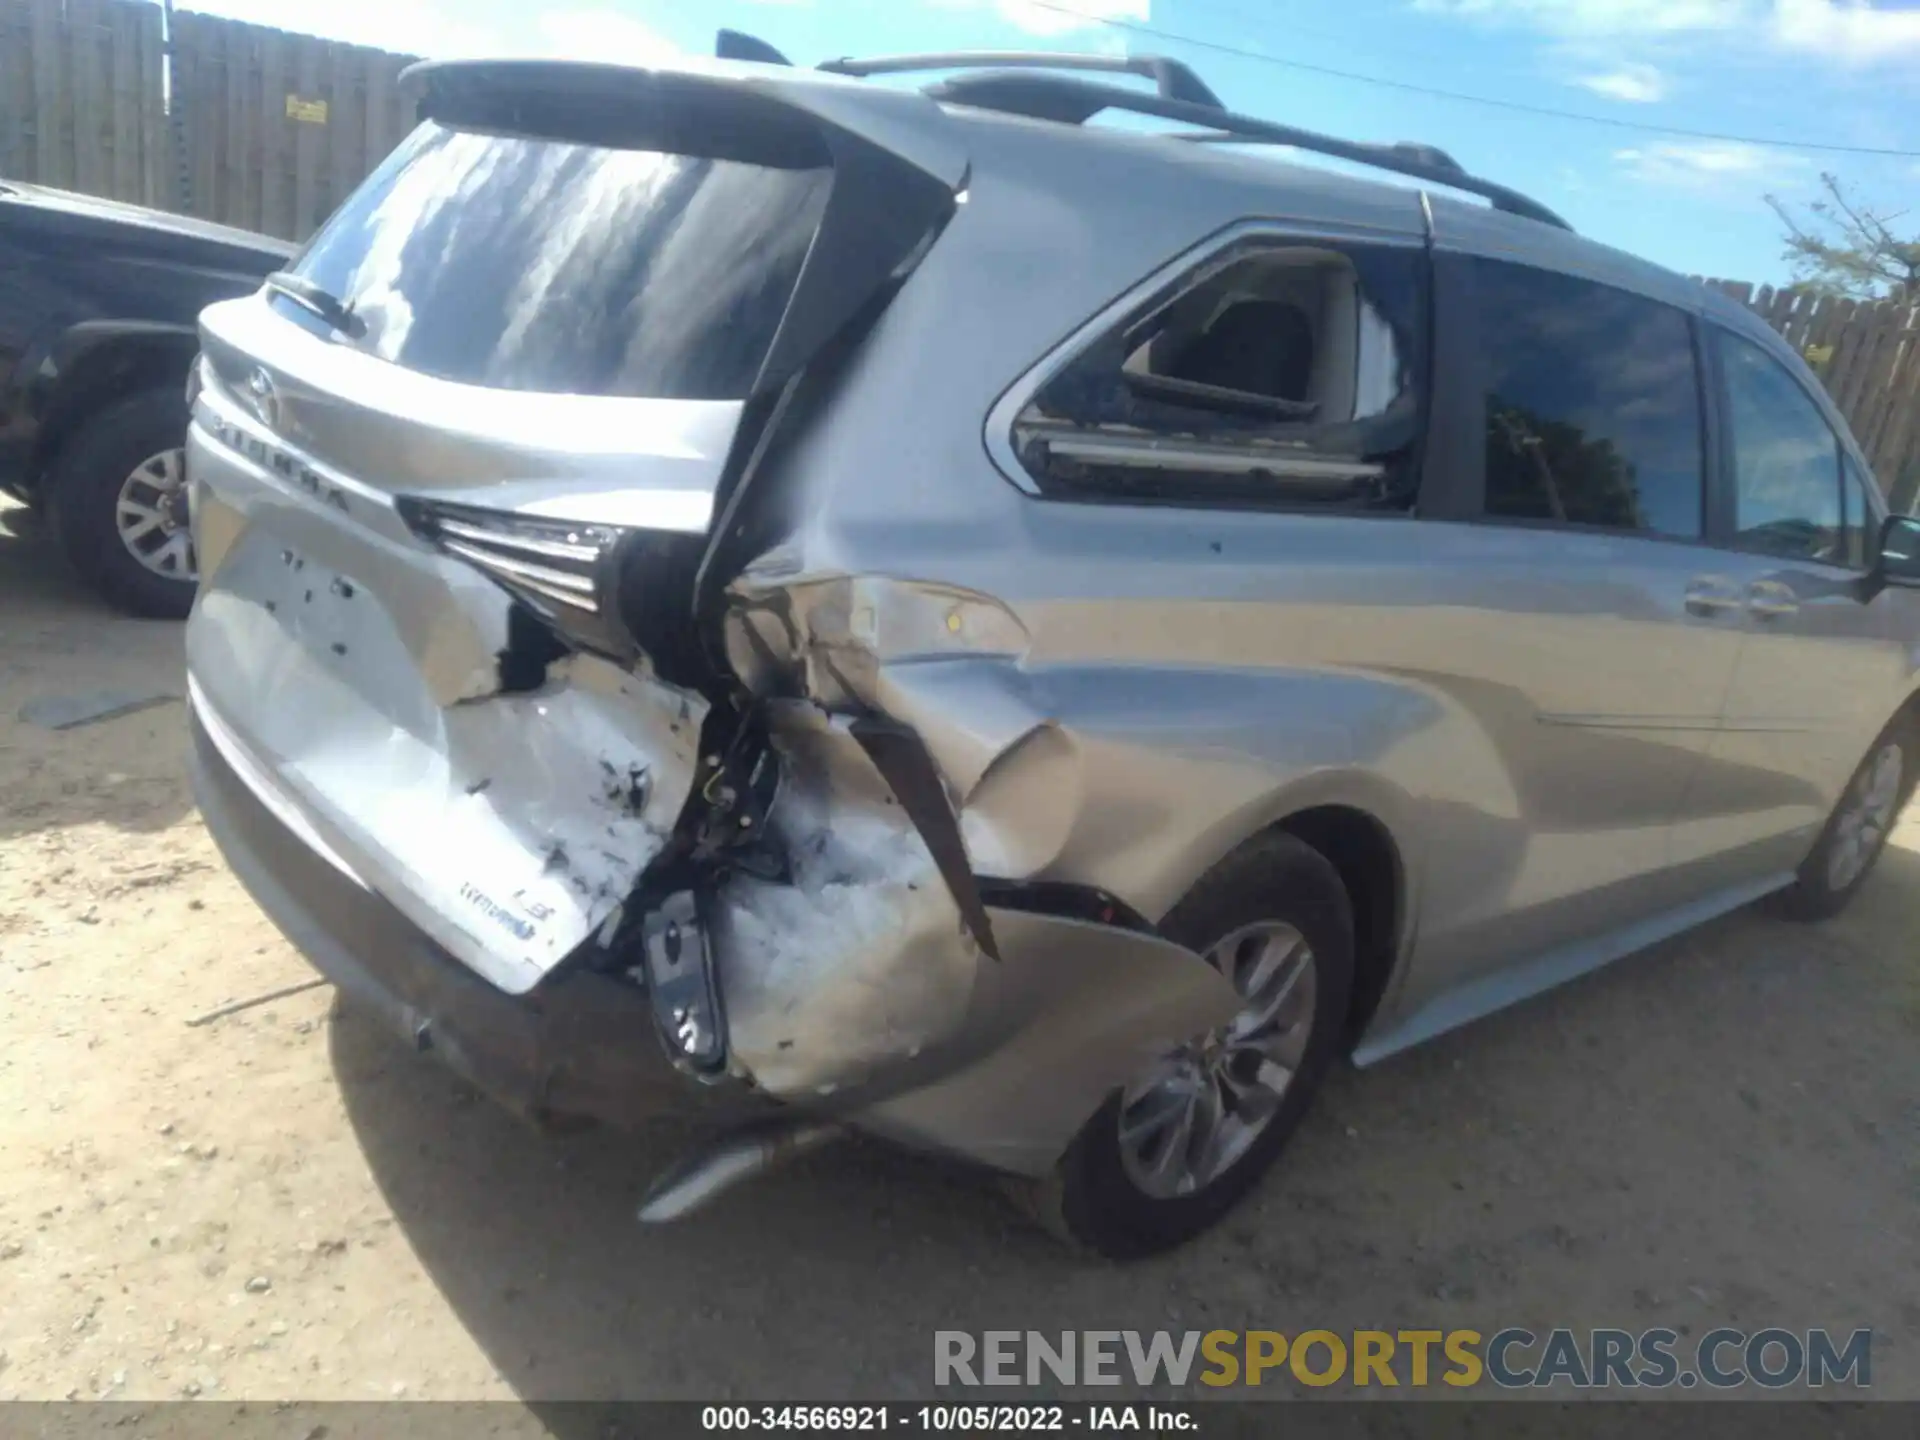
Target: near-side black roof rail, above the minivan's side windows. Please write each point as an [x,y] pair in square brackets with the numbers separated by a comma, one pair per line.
[1074,101]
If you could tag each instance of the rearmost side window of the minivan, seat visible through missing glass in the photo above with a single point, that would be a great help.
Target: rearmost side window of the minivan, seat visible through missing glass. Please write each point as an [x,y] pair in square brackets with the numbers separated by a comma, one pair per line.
[1274,375]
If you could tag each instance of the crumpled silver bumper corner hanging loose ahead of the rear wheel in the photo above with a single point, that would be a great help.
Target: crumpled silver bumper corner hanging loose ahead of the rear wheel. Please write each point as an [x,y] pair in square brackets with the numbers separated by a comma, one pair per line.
[859,994]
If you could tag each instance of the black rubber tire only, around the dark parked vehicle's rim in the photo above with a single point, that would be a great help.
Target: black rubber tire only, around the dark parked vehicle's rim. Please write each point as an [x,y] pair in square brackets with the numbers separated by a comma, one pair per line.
[85,491]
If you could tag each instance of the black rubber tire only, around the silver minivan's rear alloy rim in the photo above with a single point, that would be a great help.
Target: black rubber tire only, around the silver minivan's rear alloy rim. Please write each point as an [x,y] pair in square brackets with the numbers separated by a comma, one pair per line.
[1097,1195]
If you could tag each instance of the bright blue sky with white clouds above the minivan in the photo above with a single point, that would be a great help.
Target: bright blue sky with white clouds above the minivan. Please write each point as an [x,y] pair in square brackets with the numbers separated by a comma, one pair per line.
[1773,72]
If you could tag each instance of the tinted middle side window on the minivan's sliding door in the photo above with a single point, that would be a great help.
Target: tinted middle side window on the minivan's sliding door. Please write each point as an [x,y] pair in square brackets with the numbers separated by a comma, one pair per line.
[1593,404]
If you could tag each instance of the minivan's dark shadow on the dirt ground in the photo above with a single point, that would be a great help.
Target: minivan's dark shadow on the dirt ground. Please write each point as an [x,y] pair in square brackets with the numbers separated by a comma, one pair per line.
[1714,1134]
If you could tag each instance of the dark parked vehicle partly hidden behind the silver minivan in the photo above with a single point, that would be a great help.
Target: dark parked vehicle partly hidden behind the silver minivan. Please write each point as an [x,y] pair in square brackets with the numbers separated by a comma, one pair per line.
[97,339]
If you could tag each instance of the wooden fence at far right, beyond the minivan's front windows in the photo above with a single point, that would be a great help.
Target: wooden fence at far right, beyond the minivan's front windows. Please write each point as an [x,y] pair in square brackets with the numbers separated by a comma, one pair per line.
[1867,354]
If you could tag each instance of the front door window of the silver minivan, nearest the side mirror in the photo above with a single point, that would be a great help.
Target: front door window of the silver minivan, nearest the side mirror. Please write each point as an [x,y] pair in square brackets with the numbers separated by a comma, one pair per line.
[1787,462]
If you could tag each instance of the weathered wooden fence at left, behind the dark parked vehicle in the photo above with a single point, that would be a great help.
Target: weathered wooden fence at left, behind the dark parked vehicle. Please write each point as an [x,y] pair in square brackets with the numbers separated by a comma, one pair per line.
[274,130]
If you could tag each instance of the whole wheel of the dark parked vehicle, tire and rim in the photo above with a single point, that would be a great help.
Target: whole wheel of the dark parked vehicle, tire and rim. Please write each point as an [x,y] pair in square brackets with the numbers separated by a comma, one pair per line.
[118,500]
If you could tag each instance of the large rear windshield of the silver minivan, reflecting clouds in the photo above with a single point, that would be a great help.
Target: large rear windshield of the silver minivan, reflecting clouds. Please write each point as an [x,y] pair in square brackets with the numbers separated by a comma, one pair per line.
[542,266]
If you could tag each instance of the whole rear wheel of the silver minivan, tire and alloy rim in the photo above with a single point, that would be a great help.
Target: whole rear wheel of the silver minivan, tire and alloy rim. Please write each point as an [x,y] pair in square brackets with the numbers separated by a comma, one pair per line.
[1186,1140]
